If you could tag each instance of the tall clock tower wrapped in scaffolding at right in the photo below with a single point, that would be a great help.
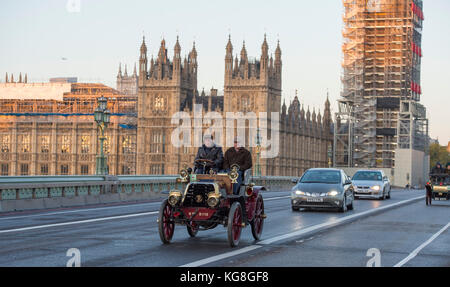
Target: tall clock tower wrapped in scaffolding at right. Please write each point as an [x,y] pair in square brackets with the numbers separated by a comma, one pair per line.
[381,66]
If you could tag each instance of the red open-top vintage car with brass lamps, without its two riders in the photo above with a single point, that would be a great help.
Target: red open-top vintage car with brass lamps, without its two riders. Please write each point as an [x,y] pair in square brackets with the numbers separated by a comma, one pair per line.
[208,200]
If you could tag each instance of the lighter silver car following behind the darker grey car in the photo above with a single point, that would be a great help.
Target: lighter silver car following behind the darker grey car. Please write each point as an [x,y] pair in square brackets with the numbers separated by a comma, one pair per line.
[371,184]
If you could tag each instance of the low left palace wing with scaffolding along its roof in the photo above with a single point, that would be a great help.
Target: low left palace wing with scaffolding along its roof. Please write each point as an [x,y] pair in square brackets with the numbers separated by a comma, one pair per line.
[59,137]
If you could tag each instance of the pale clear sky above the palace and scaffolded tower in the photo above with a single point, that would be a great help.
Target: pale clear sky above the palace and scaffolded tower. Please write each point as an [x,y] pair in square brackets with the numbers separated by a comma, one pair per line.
[36,34]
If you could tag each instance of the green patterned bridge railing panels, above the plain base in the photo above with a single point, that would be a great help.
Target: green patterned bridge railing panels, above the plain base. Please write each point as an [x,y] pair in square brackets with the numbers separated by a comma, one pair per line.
[34,187]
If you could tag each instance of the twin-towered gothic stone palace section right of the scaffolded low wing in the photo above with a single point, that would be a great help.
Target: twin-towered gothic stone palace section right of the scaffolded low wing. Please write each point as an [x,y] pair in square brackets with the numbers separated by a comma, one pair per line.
[170,86]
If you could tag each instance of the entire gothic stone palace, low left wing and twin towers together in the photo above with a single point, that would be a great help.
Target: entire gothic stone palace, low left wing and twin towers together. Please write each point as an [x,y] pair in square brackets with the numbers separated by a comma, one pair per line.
[49,128]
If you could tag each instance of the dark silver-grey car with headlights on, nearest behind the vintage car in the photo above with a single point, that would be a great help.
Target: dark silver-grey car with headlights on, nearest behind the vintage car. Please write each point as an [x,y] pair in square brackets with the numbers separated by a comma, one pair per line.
[323,188]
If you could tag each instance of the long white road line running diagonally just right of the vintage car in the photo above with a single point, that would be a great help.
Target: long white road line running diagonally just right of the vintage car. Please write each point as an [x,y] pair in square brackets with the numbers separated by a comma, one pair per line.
[292,234]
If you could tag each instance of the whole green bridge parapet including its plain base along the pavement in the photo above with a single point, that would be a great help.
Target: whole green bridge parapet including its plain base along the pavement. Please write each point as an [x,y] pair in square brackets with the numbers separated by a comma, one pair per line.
[19,193]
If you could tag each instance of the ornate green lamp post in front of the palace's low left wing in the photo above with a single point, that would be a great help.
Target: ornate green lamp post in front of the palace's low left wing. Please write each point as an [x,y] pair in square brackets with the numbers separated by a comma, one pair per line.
[102,118]
